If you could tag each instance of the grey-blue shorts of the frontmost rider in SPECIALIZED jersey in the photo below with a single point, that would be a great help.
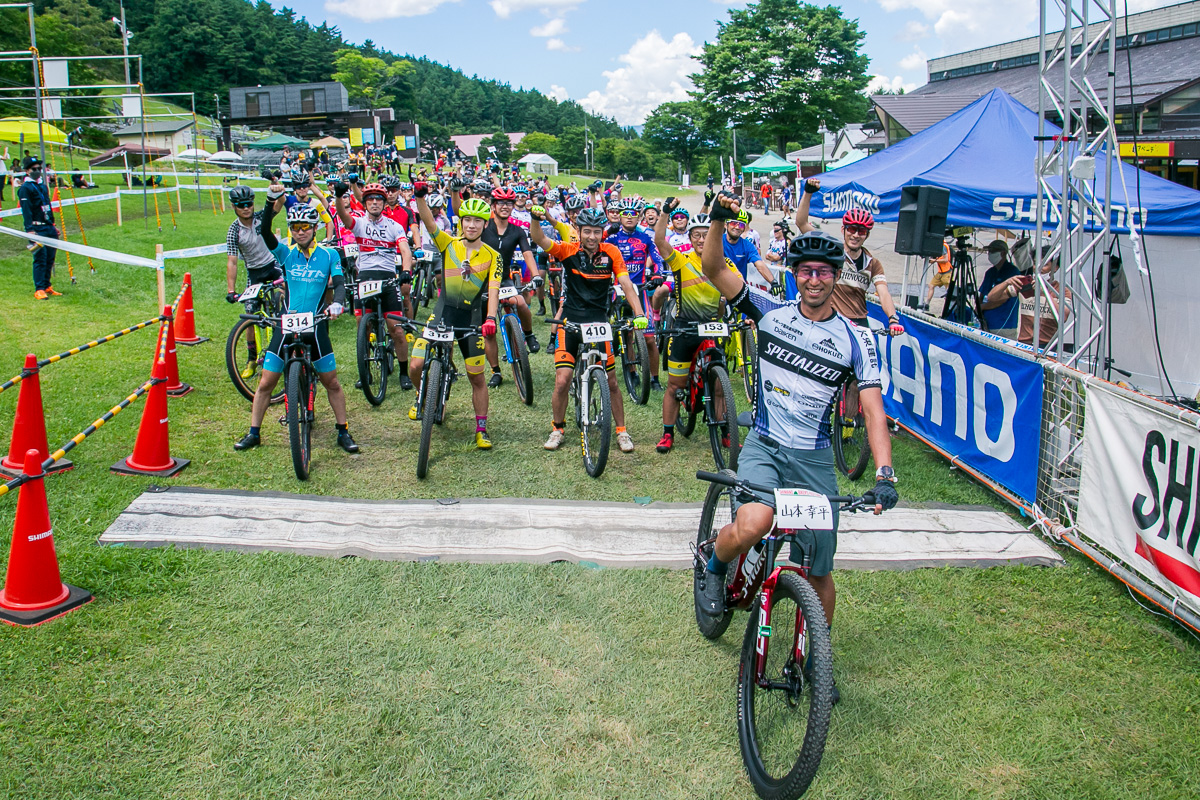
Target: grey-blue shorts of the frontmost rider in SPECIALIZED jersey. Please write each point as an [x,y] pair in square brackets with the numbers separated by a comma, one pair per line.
[767,464]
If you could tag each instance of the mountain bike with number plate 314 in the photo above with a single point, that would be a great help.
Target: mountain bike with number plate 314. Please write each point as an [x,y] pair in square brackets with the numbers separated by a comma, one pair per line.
[299,382]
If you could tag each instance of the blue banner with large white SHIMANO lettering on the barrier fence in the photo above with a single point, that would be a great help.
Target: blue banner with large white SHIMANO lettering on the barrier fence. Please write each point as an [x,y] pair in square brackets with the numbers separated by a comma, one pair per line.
[980,405]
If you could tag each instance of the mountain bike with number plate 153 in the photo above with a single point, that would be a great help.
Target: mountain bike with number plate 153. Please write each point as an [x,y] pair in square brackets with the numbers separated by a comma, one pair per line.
[710,393]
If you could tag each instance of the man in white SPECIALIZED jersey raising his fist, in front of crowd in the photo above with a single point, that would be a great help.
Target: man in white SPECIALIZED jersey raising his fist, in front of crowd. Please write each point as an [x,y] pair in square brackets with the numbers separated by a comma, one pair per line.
[806,352]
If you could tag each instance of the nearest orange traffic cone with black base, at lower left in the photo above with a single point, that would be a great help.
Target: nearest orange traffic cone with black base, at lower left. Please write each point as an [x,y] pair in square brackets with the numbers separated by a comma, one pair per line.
[34,592]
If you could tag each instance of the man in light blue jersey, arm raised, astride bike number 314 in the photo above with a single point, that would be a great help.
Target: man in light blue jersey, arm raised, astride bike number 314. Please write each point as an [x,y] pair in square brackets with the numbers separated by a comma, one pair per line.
[308,268]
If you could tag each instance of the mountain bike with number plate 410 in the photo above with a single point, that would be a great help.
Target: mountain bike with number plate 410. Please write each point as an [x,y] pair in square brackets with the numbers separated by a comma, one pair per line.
[590,389]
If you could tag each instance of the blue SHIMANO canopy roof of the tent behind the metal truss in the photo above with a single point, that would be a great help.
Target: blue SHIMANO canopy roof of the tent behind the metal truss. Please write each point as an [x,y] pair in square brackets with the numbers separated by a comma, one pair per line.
[986,155]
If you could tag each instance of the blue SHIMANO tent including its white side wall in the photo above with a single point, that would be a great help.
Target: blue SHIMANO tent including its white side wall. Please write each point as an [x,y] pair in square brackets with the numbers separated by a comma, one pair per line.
[986,157]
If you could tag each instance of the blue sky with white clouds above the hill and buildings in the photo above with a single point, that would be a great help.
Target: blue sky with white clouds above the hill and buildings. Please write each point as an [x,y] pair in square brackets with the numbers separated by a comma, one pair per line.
[622,58]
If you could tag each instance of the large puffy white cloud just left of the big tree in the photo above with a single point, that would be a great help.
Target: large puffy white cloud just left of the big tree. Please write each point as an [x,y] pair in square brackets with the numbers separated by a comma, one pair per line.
[656,73]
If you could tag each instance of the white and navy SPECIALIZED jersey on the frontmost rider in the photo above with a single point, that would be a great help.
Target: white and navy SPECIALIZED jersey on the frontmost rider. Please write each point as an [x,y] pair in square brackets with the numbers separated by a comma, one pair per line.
[802,364]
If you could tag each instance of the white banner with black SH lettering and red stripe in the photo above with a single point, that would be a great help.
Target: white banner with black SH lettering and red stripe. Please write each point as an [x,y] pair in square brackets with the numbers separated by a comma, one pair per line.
[1139,495]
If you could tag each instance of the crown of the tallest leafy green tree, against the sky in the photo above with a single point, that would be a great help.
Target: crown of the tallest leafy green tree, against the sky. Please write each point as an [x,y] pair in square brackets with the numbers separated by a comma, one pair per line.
[782,67]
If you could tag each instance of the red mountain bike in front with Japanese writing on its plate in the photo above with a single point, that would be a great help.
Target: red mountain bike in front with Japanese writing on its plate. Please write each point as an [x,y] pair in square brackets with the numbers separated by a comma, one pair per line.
[785,675]
